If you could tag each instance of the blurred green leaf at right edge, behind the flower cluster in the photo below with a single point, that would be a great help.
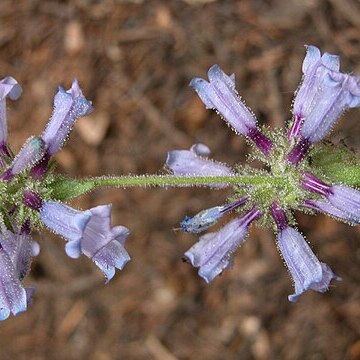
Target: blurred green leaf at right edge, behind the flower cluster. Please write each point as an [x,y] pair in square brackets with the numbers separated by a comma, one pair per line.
[338,163]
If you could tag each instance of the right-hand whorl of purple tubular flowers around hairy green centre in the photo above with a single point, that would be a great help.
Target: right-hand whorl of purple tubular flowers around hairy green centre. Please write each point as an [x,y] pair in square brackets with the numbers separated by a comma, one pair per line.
[294,184]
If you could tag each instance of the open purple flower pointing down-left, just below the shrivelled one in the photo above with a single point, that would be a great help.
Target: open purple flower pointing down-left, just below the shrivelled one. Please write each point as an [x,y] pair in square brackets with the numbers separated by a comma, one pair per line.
[212,253]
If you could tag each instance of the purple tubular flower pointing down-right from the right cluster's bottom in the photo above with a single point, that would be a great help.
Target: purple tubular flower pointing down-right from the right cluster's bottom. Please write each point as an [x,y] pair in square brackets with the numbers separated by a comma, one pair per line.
[305,269]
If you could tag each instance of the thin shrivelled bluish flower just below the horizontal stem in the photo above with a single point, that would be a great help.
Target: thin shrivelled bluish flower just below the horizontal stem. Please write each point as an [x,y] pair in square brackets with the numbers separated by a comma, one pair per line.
[209,217]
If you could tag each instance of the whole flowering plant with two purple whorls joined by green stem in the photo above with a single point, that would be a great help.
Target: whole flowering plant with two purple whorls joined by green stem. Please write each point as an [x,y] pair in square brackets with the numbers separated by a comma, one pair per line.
[299,173]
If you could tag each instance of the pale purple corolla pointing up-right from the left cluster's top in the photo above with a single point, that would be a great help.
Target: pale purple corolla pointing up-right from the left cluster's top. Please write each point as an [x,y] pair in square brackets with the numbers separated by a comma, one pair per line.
[68,107]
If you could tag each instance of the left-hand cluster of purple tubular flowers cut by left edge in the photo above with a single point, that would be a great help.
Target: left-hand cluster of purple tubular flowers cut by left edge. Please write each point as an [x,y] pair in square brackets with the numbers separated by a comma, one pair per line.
[29,203]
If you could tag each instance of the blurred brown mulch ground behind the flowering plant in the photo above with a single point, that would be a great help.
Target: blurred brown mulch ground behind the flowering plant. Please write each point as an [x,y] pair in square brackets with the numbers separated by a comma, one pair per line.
[134,59]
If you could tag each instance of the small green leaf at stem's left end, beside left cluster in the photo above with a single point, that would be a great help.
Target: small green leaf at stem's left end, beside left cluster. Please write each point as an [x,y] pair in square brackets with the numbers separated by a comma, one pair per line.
[65,188]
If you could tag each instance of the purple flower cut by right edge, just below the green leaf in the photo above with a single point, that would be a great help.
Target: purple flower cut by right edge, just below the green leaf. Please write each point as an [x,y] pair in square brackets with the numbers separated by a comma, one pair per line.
[344,198]
